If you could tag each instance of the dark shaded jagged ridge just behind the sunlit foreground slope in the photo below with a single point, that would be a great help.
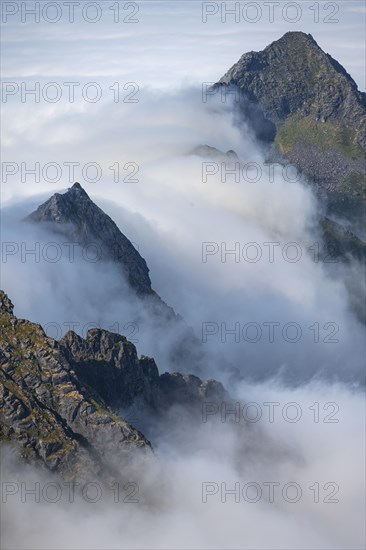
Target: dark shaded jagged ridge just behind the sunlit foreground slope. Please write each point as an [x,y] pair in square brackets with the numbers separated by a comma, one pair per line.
[109,364]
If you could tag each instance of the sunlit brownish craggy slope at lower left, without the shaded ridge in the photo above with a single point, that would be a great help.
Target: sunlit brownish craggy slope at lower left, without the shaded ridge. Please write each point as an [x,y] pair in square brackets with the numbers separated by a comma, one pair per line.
[49,414]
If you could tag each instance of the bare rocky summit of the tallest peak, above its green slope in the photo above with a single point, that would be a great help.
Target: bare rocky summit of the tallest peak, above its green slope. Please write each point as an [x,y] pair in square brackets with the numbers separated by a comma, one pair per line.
[294,76]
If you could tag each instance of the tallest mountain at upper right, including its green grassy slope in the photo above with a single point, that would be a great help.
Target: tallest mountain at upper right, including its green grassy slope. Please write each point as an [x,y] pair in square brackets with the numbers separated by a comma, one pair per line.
[317,111]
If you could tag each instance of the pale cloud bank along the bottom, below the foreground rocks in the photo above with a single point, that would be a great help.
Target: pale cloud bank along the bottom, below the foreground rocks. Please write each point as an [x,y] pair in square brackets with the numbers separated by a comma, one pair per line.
[318,465]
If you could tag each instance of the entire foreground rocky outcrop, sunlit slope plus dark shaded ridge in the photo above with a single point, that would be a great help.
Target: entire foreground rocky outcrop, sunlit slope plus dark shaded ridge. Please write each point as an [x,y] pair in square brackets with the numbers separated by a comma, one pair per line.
[59,401]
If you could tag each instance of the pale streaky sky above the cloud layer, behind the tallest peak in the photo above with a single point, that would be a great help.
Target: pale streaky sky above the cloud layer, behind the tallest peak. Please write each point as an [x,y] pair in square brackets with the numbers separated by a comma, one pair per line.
[177,42]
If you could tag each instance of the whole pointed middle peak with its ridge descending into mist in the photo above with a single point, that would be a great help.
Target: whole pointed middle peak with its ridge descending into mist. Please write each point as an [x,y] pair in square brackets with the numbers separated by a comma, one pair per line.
[75,215]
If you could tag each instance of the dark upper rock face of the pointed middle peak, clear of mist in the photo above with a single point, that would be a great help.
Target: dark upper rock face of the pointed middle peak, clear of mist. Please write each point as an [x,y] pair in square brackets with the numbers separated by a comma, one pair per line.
[84,222]
